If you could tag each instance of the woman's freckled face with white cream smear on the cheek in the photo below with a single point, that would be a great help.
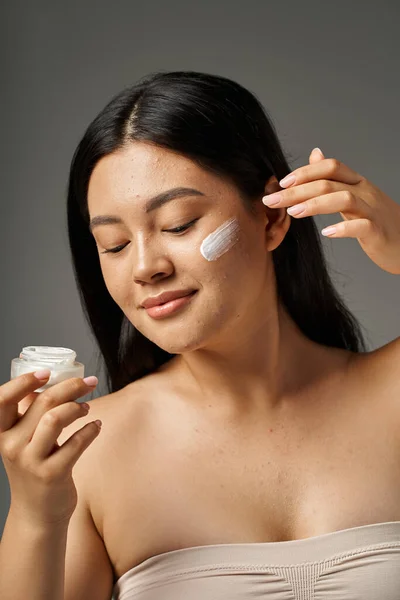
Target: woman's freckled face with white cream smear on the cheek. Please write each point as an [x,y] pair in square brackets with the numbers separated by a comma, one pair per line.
[230,275]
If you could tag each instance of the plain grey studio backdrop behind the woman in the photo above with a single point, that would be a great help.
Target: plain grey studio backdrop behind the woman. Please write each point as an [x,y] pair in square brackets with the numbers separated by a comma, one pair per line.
[327,73]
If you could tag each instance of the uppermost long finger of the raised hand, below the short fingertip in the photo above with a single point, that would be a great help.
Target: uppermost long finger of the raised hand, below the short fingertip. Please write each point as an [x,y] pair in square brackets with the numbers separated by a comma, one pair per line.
[328,168]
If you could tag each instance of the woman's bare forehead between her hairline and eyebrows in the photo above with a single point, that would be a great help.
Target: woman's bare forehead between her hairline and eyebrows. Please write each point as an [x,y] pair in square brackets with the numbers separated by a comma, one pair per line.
[142,170]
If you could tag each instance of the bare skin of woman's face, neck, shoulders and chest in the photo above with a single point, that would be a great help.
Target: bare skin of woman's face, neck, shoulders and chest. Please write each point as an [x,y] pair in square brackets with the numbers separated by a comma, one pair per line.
[252,433]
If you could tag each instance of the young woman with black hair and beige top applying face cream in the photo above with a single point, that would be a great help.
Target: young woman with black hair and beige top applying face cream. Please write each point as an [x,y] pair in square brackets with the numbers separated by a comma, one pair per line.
[250,443]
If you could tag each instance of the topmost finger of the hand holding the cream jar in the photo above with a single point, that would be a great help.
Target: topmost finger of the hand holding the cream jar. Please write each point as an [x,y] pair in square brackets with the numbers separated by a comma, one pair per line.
[12,393]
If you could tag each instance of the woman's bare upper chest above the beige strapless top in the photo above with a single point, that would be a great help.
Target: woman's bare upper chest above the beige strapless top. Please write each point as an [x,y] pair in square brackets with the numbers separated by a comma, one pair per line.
[190,483]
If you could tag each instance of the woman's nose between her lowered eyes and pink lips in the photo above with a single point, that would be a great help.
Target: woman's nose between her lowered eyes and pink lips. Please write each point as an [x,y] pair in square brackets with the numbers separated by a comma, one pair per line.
[151,263]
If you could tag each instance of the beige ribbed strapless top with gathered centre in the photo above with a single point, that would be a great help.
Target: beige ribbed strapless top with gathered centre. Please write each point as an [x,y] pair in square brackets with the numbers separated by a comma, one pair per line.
[358,563]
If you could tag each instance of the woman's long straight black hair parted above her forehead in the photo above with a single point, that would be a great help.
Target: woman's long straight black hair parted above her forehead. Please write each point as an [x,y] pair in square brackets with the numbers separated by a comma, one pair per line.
[223,128]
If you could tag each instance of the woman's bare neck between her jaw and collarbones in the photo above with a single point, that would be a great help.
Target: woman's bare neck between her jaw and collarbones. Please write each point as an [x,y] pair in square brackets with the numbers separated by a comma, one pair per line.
[258,369]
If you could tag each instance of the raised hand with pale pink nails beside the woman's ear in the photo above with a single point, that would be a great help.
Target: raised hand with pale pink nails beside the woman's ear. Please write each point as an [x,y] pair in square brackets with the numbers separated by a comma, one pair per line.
[328,186]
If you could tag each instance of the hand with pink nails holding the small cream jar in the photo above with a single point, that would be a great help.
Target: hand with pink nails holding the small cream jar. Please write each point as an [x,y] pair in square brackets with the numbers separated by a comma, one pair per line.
[38,469]
